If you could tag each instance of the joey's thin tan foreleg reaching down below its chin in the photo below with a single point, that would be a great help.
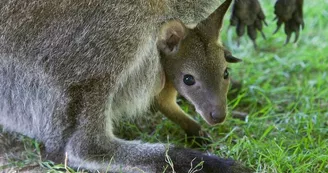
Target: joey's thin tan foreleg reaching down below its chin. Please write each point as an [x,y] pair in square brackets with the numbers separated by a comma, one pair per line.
[166,103]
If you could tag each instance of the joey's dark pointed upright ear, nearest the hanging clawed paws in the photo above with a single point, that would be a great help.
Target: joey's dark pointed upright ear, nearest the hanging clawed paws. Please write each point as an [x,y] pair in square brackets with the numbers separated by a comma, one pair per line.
[211,26]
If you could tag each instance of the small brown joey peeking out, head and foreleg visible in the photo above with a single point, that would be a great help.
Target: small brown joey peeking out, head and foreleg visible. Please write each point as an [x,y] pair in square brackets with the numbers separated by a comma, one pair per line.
[197,68]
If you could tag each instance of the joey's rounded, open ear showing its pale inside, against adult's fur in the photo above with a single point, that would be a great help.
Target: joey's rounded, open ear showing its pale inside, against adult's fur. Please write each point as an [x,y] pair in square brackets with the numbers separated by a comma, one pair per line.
[170,37]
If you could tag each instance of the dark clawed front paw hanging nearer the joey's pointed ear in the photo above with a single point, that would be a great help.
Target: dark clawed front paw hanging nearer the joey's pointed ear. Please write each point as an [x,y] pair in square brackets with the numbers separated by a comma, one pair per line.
[248,13]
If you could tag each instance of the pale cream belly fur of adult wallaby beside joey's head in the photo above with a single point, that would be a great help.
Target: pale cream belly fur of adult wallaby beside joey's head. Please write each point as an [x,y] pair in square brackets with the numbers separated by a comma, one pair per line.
[140,84]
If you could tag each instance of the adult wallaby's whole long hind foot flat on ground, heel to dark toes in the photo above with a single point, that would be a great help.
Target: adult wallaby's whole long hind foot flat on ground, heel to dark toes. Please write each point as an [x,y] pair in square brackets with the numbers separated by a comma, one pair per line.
[105,153]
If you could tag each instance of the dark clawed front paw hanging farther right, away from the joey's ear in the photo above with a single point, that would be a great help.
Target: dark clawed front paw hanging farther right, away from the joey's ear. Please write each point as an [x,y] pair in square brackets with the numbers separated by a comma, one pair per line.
[290,13]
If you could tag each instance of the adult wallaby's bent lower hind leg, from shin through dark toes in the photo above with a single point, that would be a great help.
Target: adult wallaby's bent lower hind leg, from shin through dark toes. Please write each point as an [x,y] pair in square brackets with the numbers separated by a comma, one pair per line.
[94,147]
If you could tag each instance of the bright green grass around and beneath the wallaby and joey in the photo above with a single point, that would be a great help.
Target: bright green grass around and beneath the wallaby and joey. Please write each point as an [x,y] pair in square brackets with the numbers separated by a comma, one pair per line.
[285,93]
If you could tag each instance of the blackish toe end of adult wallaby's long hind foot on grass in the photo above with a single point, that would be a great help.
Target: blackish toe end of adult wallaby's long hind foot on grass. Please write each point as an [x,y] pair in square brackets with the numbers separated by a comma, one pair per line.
[185,160]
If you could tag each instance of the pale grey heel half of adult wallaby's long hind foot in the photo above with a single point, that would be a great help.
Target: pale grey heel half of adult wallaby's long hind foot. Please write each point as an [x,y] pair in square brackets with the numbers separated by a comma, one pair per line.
[97,151]
